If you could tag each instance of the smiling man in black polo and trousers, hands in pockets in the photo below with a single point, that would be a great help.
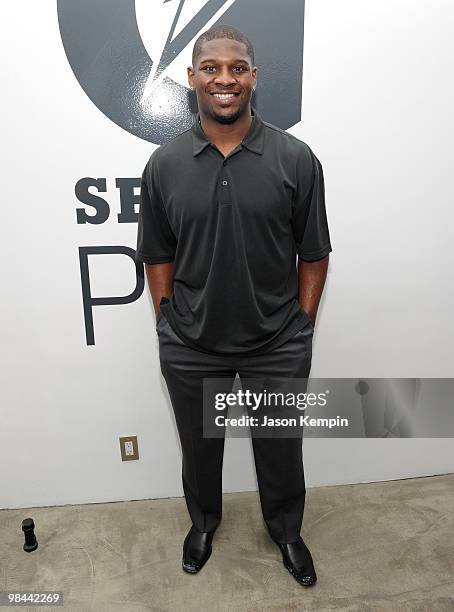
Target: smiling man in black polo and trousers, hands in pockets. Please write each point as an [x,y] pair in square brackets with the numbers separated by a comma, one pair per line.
[225,209]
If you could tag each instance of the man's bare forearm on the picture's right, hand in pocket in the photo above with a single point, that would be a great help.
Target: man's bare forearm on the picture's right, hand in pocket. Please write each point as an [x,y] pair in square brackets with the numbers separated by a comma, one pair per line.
[311,280]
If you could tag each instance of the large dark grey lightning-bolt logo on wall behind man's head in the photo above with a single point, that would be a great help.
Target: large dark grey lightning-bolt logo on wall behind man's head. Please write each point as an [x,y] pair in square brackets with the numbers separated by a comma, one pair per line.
[130,57]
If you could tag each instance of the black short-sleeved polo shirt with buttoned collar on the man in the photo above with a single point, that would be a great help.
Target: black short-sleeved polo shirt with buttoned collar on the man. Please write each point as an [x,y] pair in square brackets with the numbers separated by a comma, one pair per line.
[233,226]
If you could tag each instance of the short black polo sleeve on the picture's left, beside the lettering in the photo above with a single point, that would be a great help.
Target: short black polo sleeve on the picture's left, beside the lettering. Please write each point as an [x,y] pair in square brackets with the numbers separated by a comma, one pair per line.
[156,243]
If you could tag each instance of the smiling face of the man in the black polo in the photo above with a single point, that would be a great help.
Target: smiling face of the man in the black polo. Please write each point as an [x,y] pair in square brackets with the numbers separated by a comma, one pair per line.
[224,79]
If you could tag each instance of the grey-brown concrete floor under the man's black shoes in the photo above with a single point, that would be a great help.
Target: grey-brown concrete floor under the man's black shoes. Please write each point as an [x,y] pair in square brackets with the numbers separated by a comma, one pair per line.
[376,546]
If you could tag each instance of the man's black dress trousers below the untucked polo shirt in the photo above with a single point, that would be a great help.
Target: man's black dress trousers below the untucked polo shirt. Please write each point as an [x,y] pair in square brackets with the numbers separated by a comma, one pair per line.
[278,461]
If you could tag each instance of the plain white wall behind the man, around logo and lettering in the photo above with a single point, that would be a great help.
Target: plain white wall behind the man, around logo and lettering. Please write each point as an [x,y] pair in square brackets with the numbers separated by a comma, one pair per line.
[377,97]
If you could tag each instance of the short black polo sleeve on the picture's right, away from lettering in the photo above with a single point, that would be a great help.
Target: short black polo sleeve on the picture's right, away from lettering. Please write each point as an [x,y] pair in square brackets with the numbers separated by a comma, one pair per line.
[309,221]
